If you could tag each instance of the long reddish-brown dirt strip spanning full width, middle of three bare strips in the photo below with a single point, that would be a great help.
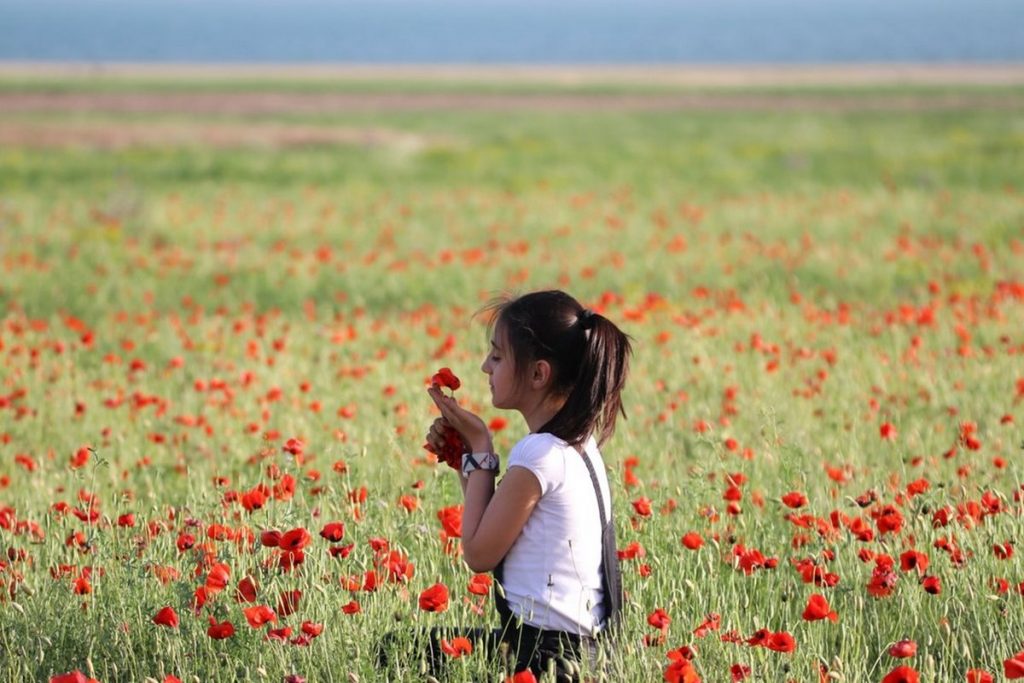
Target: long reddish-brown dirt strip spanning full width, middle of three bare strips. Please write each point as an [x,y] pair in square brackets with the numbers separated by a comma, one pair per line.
[270,103]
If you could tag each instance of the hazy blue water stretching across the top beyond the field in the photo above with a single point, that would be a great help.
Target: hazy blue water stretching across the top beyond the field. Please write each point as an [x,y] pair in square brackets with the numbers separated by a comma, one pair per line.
[513,31]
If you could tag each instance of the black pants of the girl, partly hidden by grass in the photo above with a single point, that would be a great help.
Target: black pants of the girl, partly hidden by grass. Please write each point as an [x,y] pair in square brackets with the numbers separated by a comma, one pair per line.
[516,648]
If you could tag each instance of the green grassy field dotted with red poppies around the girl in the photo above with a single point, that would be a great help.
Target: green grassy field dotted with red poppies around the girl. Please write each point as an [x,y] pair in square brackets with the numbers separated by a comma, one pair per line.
[216,345]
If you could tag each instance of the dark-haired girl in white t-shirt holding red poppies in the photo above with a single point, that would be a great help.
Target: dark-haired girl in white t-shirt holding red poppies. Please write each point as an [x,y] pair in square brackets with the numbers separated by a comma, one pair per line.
[543,531]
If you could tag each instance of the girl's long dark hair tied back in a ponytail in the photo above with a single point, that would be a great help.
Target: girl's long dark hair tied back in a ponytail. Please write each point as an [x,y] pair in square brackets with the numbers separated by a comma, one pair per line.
[588,354]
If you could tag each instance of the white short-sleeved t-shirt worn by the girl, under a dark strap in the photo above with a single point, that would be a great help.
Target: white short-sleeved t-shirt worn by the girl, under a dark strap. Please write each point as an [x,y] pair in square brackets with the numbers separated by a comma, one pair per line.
[552,574]
